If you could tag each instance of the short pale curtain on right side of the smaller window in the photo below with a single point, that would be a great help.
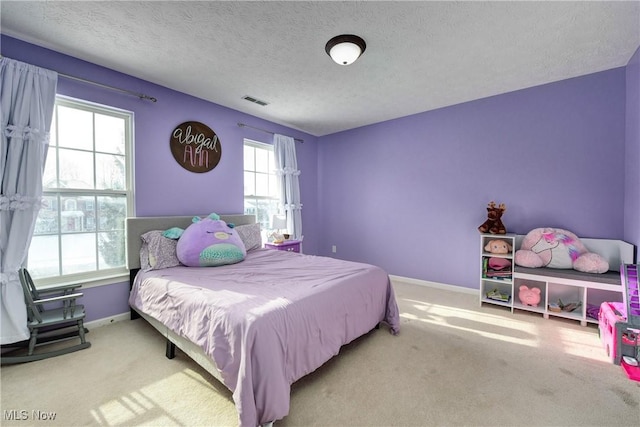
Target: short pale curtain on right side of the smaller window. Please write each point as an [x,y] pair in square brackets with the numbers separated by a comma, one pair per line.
[287,171]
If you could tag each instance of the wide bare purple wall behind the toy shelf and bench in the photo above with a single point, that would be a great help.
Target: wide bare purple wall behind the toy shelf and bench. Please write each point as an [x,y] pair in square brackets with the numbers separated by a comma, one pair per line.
[409,194]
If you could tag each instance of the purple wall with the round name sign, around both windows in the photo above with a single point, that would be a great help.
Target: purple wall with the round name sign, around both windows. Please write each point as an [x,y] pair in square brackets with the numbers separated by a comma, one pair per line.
[162,187]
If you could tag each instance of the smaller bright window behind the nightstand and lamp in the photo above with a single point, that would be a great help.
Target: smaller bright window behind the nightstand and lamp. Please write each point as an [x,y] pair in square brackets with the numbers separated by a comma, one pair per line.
[261,196]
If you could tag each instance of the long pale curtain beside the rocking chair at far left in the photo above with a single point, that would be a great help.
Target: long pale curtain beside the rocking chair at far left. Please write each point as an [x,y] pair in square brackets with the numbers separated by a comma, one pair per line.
[27,98]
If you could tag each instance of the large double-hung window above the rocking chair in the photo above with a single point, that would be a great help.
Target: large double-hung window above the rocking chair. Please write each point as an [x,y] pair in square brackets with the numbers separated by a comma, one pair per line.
[87,194]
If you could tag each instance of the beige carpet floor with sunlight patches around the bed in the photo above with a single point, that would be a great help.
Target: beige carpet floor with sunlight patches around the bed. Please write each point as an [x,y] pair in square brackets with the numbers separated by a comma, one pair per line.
[453,364]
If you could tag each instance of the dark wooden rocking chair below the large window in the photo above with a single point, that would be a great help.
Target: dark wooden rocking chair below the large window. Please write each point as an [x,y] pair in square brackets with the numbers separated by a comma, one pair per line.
[49,325]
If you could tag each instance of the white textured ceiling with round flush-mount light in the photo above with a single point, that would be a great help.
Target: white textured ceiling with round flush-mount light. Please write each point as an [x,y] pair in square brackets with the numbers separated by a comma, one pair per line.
[420,55]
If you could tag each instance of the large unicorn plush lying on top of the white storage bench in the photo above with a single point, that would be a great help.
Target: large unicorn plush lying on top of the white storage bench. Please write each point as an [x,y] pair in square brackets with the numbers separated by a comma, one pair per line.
[558,248]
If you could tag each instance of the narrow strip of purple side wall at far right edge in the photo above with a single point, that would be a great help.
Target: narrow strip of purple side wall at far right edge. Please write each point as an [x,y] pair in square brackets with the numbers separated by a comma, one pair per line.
[632,153]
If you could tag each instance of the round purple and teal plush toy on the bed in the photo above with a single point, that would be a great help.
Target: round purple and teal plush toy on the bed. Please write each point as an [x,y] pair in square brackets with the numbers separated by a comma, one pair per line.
[208,242]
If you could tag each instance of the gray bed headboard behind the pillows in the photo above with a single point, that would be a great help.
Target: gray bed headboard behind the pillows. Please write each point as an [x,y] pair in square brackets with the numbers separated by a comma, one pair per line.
[137,226]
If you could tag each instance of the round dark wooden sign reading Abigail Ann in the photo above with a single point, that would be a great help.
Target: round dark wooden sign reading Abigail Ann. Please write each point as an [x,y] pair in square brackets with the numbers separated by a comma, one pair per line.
[195,147]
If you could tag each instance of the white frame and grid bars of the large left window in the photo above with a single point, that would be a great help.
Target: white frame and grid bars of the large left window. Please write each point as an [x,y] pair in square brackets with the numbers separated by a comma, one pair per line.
[100,276]
